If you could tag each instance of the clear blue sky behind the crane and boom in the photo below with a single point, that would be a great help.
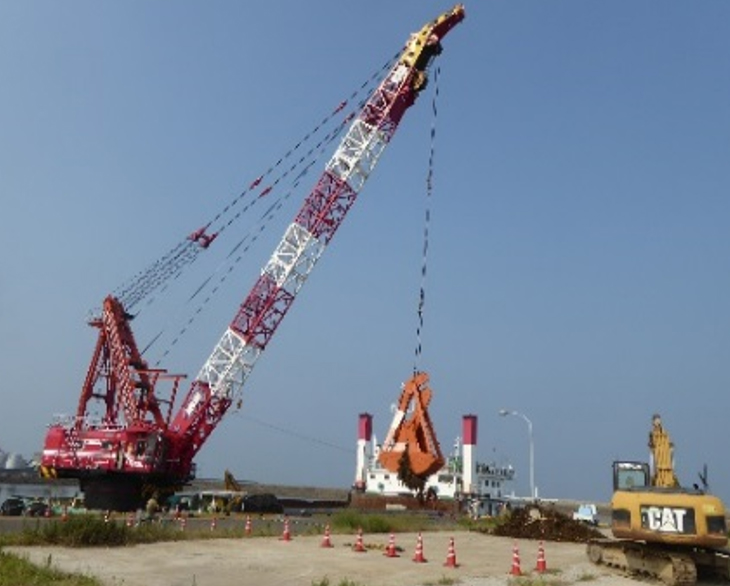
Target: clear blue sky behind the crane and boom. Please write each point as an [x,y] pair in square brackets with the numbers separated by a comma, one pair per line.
[578,264]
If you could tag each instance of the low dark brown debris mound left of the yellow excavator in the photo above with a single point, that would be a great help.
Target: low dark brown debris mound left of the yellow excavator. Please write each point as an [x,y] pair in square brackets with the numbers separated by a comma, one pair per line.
[536,522]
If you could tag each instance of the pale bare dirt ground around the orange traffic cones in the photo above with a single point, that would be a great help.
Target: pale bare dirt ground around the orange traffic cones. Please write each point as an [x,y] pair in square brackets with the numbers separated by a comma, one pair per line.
[482,560]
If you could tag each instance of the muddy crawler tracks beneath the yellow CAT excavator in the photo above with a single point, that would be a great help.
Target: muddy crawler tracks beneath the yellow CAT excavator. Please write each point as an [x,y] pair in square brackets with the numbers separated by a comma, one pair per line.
[672,566]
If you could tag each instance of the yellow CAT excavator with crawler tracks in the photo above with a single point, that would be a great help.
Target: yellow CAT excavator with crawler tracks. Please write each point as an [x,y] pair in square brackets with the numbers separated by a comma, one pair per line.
[661,529]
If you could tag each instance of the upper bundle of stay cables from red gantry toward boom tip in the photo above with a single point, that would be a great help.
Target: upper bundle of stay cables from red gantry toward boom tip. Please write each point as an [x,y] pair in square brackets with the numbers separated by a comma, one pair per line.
[184,253]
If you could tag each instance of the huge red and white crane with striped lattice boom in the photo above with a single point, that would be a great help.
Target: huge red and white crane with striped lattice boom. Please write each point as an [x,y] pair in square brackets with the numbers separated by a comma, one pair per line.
[134,447]
